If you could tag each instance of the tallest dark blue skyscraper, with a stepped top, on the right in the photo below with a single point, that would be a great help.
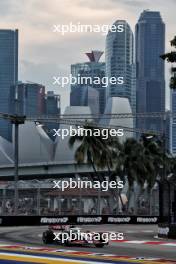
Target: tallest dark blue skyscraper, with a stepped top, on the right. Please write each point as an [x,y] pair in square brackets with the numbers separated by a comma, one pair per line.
[150,44]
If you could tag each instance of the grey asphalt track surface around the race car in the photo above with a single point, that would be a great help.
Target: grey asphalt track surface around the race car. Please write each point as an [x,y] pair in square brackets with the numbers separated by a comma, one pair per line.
[31,236]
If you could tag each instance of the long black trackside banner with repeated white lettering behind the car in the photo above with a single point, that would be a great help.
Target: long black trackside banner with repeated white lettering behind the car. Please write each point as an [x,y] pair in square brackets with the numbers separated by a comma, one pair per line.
[76,220]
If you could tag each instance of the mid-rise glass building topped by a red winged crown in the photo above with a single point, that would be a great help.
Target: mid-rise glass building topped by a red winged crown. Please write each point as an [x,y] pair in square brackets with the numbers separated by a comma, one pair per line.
[92,68]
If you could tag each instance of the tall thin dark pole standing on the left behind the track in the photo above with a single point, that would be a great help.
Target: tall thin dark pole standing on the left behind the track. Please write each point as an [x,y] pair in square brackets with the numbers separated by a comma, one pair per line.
[16,168]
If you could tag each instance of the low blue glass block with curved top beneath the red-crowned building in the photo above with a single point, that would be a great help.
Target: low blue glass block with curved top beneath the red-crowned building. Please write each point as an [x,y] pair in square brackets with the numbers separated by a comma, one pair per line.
[85,96]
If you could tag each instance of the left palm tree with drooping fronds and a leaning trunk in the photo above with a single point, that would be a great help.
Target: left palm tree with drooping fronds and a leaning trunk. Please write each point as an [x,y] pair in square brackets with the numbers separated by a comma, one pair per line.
[98,152]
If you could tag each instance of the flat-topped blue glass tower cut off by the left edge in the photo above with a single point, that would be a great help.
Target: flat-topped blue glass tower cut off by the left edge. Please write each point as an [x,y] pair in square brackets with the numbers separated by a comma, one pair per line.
[8,75]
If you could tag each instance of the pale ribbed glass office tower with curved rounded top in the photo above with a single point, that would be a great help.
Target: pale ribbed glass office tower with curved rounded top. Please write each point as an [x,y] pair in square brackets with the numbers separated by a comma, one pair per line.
[119,57]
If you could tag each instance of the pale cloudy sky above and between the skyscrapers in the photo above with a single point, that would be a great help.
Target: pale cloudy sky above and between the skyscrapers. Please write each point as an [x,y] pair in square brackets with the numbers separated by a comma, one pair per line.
[44,54]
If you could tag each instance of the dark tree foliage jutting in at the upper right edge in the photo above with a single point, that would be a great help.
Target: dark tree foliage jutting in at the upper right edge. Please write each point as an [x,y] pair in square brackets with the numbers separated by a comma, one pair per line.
[171,57]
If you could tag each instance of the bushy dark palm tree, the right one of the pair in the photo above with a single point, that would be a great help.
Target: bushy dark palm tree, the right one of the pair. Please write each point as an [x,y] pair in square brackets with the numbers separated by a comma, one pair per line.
[139,161]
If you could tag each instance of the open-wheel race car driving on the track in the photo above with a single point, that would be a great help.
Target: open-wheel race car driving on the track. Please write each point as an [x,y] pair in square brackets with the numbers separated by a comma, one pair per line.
[71,235]
